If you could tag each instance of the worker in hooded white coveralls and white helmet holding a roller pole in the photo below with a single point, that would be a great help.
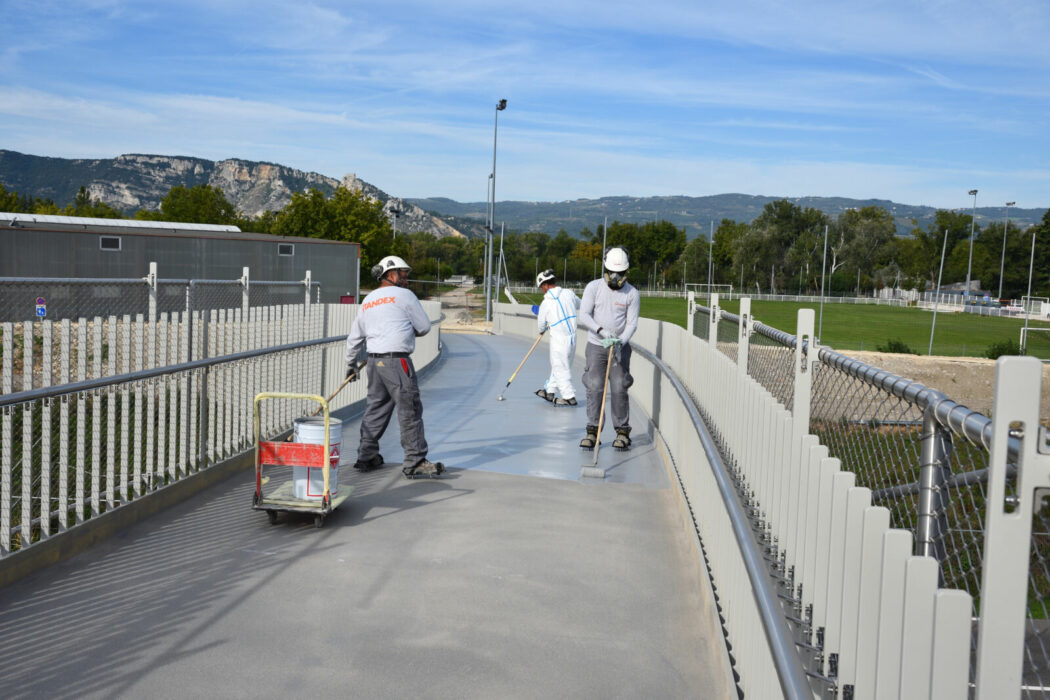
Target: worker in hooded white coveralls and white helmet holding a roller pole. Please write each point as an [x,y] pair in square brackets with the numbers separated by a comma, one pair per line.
[558,313]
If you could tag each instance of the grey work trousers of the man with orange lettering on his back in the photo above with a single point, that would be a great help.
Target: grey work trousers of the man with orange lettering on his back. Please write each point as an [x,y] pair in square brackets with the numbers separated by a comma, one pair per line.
[392,381]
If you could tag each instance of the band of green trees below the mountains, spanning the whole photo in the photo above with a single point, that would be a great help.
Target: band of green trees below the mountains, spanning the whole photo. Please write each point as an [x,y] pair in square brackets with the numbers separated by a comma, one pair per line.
[782,251]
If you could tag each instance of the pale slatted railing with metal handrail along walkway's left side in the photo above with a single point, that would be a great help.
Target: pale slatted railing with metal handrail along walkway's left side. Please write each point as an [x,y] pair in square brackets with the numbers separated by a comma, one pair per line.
[111,410]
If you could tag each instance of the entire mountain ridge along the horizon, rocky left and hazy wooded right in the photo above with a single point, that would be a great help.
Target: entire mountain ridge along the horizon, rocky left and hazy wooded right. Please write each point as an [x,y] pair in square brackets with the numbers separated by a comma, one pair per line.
[140,181]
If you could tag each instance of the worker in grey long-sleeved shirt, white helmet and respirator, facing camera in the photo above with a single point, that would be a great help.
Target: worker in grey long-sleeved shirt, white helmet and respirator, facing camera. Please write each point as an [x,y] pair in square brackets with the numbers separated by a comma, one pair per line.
[611,311]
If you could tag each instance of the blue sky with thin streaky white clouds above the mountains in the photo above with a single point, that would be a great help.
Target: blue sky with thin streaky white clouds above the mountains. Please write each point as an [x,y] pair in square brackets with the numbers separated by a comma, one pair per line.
[916,101]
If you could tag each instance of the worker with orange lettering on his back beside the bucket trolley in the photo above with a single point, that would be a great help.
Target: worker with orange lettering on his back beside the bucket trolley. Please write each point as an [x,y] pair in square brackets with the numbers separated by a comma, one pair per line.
[388,324]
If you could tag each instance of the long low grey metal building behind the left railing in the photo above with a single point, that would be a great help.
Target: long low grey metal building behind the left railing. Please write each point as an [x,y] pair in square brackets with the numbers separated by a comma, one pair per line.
[52,247]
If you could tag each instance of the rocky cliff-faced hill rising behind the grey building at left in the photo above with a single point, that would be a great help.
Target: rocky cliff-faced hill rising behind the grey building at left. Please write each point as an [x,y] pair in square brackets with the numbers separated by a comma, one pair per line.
[135,182]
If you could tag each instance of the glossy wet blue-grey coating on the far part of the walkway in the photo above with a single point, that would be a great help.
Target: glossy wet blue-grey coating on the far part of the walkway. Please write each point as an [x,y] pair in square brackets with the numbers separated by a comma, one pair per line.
[468,428]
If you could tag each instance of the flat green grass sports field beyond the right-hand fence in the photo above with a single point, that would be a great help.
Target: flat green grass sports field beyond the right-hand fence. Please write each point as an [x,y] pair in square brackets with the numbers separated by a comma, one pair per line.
[866,328]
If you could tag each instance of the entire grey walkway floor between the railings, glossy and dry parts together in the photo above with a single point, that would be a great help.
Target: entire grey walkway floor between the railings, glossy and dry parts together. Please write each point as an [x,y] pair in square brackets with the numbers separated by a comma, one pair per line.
[490,583]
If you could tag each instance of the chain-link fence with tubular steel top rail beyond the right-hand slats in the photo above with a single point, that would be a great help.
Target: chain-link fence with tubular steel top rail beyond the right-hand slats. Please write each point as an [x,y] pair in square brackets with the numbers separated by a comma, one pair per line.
[925,457]
